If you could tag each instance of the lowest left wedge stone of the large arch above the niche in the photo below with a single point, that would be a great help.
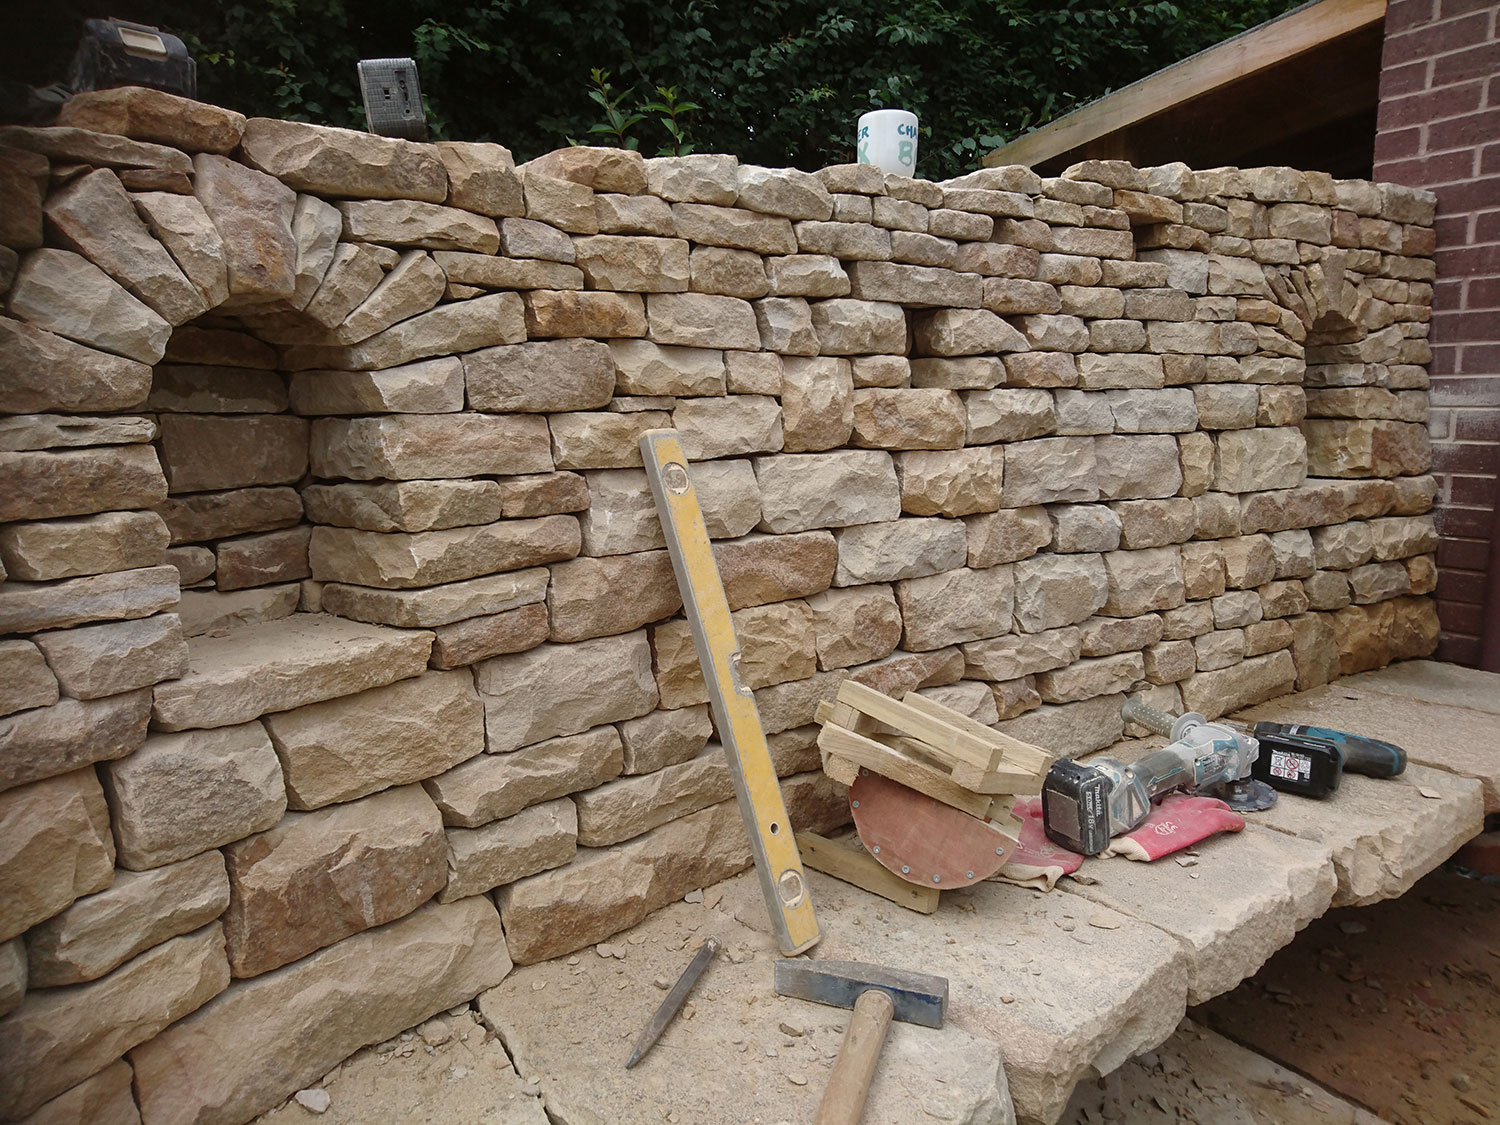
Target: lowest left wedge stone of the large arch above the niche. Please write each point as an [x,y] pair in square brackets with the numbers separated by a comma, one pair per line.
[65,293]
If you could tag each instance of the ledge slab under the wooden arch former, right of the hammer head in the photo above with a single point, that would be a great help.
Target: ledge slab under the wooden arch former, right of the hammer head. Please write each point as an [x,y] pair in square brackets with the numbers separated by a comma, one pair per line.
[1064,988]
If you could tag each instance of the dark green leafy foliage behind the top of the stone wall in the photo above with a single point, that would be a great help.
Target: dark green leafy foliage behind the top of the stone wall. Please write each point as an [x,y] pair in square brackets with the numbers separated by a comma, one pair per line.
[776,83]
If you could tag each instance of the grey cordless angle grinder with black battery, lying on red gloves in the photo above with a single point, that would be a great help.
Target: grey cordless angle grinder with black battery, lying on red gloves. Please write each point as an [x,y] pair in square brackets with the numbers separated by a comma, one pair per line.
[1088,803]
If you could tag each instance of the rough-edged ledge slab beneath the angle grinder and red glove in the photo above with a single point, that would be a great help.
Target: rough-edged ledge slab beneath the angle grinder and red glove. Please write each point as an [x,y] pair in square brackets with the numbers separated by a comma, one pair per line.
[1244,898]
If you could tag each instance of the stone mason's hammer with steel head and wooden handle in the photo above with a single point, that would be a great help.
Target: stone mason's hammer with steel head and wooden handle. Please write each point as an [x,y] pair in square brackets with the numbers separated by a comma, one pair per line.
[878,995]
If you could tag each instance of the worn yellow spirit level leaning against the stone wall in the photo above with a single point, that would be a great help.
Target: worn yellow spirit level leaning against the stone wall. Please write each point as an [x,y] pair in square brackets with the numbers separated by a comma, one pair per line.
[772,841]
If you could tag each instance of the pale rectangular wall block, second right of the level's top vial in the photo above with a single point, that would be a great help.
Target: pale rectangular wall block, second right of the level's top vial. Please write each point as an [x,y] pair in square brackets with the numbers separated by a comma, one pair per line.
[808,491]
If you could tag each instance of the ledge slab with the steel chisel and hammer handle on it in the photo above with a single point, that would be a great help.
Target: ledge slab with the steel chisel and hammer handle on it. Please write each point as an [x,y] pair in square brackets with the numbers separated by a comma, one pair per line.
[743,1054]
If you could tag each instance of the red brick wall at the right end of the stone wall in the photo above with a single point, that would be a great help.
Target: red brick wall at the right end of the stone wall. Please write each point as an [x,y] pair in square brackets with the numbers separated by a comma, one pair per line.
[1439,128]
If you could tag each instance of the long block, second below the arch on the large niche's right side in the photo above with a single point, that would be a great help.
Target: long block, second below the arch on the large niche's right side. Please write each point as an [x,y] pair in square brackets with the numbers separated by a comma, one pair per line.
[427,446]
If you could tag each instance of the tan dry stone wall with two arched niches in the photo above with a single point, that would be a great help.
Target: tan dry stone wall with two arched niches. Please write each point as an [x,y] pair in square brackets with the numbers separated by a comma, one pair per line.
[341,659]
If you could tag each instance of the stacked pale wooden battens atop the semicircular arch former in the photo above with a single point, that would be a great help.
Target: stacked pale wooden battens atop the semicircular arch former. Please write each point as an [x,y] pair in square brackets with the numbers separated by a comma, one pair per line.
[931,749]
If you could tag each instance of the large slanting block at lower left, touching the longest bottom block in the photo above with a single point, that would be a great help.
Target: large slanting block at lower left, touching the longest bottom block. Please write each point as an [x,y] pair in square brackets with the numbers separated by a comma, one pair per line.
[61,1037]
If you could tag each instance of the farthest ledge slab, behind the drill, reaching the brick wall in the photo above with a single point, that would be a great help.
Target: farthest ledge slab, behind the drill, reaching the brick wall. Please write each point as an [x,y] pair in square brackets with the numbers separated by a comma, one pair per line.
[1454,737]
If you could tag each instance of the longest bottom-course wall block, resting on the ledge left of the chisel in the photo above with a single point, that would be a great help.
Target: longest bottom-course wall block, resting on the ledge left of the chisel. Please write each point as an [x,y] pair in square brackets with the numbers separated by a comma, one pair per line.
[287,1036]
